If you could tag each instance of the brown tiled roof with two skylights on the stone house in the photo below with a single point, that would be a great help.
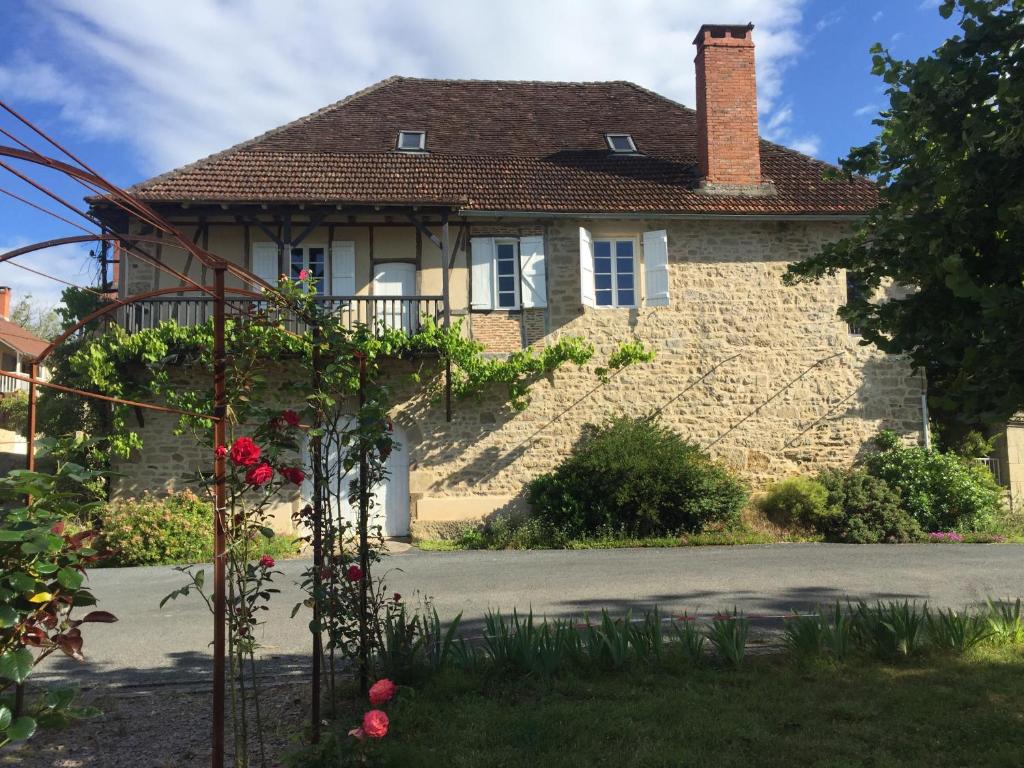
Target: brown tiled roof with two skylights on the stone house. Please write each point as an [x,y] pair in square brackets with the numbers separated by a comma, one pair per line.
[499,146]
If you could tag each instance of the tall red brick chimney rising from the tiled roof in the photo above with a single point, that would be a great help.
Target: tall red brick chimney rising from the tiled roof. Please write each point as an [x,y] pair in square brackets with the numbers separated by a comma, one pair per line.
[728,112]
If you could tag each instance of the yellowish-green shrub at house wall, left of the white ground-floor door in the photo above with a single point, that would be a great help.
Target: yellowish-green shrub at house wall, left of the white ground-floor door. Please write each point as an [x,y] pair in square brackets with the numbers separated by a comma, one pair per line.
[154,531]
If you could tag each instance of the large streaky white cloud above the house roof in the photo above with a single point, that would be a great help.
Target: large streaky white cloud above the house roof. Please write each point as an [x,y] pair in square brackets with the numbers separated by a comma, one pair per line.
[179,81]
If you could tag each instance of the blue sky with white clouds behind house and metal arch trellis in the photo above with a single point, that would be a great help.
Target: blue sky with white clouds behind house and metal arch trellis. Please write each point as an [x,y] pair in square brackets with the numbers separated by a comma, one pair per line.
[138,89]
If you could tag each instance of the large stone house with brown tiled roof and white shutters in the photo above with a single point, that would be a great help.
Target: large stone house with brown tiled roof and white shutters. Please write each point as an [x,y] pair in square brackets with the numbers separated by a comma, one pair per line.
[534,210]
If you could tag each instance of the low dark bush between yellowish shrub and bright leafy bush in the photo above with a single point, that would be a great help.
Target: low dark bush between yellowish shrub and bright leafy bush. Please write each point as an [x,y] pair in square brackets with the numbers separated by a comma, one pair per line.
[865,510]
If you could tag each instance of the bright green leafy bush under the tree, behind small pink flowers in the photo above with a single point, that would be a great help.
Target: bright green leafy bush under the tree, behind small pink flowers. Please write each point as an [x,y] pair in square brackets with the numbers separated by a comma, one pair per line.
[943,492]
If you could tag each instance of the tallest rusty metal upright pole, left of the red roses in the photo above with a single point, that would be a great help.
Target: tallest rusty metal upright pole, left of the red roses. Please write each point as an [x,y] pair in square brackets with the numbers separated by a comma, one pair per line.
[220,525]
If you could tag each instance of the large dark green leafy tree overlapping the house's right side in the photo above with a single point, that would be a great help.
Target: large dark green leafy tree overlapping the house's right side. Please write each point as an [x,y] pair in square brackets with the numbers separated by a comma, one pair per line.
[950,162]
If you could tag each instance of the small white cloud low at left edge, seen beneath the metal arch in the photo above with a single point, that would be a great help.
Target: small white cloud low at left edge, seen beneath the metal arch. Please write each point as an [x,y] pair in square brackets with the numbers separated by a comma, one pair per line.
[70,264]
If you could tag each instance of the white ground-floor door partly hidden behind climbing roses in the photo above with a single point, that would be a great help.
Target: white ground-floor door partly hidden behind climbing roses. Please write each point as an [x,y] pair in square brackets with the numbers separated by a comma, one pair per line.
[391,509]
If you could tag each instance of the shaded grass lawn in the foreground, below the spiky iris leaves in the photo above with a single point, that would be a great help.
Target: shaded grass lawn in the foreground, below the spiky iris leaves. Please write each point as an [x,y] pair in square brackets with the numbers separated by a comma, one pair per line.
[935,712]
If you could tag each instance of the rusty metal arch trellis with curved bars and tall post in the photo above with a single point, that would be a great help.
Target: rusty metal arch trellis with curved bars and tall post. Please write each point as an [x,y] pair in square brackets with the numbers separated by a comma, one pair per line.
[91,180]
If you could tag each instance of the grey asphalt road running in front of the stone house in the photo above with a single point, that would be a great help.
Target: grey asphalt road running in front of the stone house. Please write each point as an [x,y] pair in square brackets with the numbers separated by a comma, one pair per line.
[151,645]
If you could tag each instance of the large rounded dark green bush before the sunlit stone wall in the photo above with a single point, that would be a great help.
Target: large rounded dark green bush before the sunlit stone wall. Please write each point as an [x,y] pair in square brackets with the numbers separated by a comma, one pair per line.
[638,478]
